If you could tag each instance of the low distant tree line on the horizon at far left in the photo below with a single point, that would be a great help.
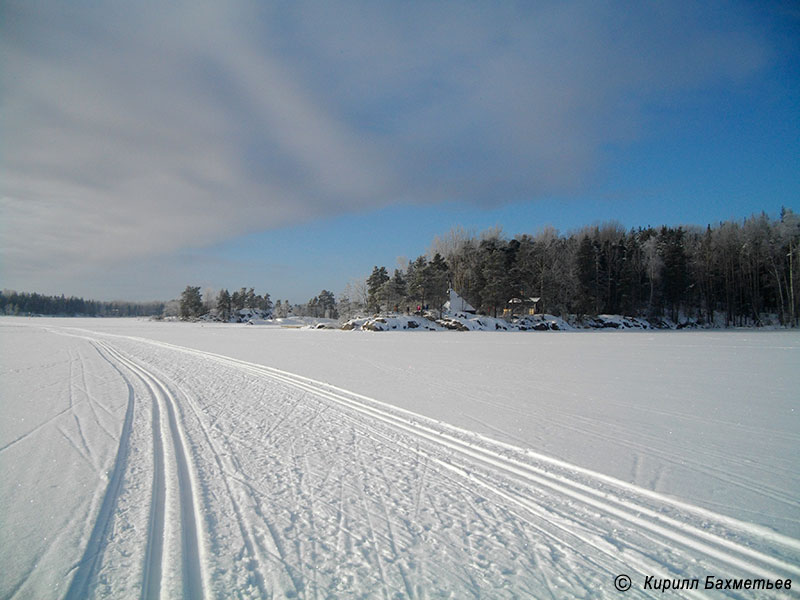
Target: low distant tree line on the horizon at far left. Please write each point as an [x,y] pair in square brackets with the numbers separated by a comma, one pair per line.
[23,303]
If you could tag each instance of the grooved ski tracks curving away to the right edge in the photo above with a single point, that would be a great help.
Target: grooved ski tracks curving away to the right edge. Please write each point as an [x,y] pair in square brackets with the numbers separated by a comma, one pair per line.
[638,507]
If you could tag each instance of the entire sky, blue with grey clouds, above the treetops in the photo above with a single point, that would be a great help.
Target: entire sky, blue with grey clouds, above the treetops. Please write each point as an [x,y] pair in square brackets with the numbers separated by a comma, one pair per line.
[292,146]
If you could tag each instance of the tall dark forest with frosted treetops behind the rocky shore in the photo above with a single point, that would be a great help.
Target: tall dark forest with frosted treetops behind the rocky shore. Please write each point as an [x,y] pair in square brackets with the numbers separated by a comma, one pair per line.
[735,273]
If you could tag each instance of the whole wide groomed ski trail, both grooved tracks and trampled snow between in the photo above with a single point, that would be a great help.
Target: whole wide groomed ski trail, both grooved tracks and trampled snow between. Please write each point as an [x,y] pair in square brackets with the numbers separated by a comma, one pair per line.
[236,479]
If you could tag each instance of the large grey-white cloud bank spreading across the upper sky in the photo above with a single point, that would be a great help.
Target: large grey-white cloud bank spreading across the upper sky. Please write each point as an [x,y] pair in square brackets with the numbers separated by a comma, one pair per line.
[138,129]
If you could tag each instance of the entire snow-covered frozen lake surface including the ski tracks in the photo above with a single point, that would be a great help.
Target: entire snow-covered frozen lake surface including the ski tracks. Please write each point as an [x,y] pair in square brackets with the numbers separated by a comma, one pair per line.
[146,459]
